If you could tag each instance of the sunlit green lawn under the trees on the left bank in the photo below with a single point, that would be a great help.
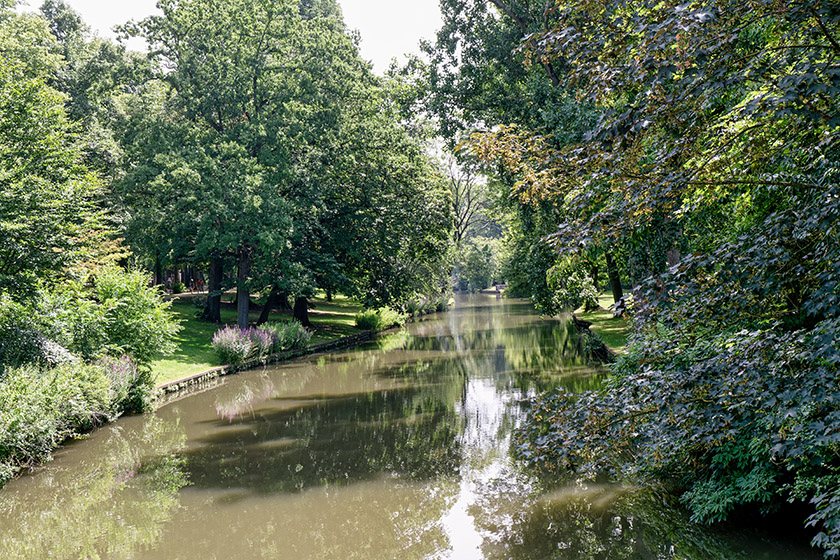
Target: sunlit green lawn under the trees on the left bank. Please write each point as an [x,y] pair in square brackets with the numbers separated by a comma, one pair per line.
[194,354]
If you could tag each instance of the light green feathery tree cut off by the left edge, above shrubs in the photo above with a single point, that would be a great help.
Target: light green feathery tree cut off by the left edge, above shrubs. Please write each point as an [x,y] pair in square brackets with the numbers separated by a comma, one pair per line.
[49,219]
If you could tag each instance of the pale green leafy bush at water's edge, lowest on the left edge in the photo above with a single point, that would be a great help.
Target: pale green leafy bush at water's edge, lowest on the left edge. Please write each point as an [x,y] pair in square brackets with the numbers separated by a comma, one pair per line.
[40,408]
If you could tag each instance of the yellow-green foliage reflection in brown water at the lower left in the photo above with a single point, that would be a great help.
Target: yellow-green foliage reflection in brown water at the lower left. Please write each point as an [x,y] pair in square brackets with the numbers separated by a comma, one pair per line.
[115,500]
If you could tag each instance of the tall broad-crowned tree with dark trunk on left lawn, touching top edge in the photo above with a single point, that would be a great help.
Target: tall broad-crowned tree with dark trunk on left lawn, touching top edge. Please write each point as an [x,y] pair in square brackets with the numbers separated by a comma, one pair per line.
[248,96]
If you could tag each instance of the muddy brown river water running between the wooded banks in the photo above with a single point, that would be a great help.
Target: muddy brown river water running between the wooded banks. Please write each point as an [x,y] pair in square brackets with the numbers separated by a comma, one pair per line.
[400,449]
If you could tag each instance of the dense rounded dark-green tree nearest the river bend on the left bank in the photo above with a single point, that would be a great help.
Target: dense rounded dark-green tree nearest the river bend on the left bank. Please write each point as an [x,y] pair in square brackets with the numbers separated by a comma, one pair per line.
[388,215]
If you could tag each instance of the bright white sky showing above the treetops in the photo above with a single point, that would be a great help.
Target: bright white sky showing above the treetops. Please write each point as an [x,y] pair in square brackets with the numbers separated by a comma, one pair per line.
[388,28]
